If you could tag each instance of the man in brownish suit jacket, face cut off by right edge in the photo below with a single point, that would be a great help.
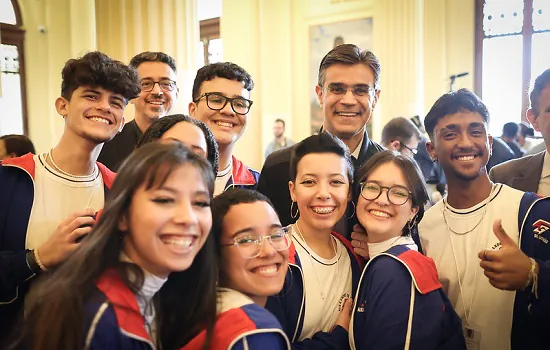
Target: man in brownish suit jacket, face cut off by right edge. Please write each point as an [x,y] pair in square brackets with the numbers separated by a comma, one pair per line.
[531,173]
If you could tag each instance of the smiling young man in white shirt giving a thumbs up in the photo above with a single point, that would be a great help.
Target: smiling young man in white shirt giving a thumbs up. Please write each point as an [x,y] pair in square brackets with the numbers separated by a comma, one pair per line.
[492,261]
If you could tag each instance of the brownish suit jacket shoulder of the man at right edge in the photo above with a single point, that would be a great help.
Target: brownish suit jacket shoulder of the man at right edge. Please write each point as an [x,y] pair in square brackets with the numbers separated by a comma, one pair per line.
[522,174]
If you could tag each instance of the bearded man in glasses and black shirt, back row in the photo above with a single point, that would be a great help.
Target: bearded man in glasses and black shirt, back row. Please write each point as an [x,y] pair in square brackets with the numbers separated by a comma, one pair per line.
[157,76]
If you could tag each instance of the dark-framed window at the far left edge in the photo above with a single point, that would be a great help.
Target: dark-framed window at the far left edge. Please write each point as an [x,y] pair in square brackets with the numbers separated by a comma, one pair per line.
[13,107]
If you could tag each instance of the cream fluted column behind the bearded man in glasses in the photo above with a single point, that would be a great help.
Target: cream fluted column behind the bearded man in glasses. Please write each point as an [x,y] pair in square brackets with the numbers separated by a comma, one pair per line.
[128,27]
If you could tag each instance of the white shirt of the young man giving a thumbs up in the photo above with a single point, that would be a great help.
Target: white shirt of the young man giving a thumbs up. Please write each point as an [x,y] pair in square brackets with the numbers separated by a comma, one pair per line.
[489,309]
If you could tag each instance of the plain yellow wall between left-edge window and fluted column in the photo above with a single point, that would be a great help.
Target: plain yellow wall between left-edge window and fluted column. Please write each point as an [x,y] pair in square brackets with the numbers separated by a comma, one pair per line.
[56,30]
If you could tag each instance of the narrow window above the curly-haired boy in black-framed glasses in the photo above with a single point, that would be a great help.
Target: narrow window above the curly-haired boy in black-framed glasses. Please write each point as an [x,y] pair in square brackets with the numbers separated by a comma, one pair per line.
[210,45]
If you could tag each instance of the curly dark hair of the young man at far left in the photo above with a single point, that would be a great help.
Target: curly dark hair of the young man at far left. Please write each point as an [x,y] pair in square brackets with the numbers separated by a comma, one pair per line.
[99,70]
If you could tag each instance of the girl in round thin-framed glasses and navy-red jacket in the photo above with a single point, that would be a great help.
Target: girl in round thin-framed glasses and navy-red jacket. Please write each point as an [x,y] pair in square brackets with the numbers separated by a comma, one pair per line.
[400,303]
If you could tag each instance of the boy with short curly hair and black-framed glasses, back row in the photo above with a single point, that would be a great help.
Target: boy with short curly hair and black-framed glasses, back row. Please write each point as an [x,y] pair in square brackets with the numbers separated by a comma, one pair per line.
[221,99]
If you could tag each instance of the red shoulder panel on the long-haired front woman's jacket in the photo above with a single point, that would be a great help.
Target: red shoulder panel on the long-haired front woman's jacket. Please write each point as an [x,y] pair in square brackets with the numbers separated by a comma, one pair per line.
[124,302]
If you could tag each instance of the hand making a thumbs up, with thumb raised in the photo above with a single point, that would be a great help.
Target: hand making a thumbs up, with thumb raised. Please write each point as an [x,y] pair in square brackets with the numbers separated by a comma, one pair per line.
[507,268]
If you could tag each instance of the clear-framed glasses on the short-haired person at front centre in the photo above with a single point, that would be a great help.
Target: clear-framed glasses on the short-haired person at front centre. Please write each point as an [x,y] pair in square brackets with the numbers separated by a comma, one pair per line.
[250,245]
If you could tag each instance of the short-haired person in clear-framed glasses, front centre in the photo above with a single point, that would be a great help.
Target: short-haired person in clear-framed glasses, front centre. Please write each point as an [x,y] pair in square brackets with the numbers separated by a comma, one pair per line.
[253,254]
